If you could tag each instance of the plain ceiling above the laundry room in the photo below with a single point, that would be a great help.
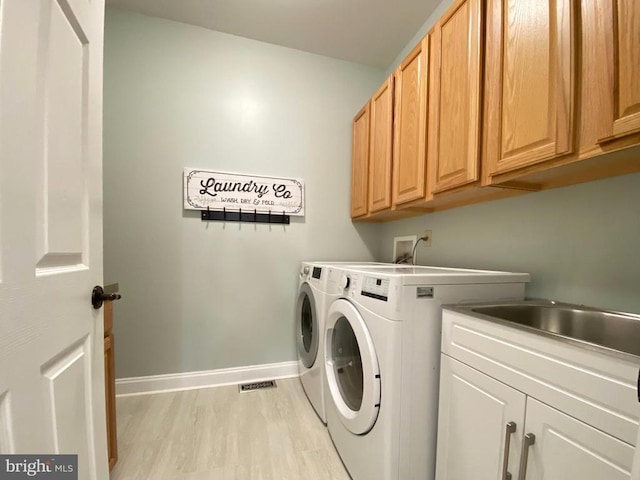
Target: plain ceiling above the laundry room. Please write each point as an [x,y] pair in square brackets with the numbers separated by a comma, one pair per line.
[371,32]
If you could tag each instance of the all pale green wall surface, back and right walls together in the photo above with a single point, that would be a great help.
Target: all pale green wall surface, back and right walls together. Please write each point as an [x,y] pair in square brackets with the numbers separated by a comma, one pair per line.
[205,296]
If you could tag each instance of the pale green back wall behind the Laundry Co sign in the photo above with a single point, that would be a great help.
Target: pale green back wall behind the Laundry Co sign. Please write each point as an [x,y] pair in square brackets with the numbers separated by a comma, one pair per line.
[197,295]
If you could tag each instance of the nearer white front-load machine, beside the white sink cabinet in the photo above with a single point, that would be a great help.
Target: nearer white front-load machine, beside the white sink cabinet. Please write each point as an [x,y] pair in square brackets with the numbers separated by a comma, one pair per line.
[382,361]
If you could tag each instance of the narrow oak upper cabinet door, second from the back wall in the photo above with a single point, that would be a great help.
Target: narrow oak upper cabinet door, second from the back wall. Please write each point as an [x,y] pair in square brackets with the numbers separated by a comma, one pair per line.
[381,148]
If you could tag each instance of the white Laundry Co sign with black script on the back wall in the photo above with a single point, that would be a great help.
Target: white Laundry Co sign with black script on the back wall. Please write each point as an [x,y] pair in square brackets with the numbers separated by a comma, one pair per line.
[234,191]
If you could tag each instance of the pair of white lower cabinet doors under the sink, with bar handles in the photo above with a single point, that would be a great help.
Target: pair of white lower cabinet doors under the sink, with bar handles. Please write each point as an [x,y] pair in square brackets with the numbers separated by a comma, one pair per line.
[482,421]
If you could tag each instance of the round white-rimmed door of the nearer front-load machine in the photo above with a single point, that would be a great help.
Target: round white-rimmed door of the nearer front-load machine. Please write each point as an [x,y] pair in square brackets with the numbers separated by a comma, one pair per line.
[352,370]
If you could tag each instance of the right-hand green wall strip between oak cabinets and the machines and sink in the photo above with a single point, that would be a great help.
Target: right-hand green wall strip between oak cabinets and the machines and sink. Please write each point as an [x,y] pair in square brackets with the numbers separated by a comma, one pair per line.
[581,244]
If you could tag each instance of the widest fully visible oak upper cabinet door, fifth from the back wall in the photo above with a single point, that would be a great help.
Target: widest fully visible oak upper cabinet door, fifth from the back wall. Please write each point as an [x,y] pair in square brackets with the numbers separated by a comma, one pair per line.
[530,78]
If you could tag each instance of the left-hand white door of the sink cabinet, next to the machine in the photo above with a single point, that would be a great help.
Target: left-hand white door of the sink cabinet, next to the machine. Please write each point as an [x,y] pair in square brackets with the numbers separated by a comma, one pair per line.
[472,424]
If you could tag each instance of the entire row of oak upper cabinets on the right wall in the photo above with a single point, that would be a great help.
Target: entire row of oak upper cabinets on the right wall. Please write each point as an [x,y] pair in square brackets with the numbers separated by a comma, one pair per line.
[520,94]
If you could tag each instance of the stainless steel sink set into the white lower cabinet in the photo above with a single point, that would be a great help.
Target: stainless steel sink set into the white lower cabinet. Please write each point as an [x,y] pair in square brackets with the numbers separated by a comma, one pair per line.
[619,332]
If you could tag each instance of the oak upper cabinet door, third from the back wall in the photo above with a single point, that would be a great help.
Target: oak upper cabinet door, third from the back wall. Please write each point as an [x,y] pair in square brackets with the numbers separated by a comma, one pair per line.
[409,144]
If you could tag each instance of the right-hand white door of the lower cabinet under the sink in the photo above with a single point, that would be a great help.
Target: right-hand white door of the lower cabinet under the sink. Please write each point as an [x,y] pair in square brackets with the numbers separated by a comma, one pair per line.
[566,448]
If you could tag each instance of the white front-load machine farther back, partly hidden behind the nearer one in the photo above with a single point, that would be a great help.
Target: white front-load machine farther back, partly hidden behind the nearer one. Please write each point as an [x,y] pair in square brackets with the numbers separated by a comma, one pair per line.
[310,320]
